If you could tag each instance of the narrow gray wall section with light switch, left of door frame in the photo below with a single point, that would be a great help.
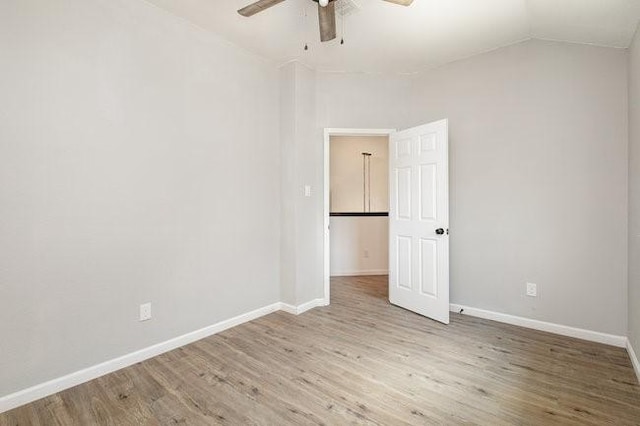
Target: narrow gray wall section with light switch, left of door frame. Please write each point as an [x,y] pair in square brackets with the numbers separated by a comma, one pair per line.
[301,217]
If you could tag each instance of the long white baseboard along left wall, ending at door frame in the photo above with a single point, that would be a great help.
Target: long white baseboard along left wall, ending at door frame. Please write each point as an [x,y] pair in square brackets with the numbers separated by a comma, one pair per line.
[25,396]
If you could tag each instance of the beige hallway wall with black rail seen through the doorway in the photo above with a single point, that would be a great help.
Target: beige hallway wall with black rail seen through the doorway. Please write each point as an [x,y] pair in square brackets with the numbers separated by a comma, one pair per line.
[358,207]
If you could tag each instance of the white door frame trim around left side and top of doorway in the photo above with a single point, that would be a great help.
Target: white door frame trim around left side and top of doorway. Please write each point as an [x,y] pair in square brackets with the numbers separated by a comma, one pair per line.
[328,133]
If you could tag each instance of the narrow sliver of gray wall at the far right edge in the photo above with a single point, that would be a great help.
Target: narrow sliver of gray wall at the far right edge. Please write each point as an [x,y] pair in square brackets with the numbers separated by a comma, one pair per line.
[634,194]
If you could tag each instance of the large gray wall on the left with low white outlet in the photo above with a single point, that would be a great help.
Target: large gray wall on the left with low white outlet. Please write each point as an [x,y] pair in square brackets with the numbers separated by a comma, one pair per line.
[138,163]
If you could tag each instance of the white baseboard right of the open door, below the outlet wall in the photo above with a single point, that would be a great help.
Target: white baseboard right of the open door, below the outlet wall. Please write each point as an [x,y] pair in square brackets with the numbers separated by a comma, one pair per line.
[564,330]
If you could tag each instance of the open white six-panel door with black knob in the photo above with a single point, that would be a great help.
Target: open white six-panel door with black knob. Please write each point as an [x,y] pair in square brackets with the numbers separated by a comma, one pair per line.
[419,220]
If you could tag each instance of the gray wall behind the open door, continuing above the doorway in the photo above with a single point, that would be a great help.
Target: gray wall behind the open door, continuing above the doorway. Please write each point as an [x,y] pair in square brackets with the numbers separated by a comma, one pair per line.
[538,173]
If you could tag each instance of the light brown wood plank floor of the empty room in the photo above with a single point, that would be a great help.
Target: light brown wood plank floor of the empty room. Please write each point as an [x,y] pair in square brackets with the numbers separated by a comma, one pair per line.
[359,361]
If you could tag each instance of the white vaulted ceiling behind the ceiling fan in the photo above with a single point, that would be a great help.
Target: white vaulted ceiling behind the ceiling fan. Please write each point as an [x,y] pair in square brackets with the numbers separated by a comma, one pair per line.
[383,37]
